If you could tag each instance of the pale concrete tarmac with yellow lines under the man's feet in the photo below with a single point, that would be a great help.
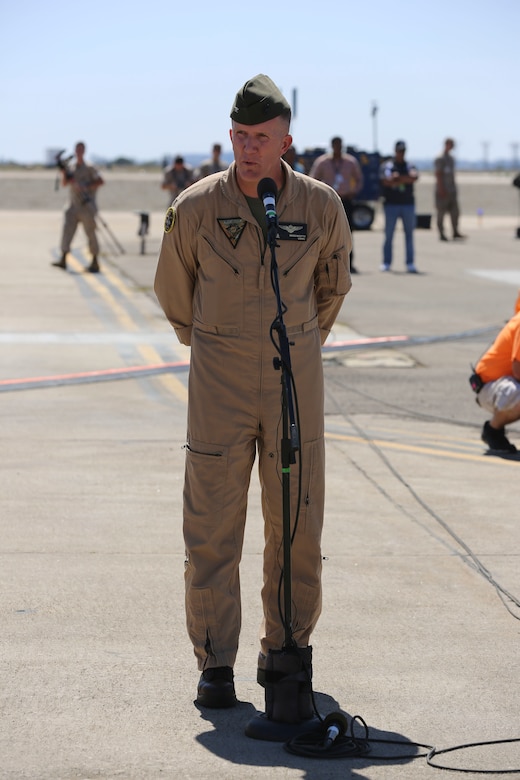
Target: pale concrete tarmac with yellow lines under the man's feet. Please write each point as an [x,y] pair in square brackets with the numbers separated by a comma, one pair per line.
[420,627]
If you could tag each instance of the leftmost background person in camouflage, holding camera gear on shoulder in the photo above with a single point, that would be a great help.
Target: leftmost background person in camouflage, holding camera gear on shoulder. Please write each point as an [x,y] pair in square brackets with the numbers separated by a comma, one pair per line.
[83,180]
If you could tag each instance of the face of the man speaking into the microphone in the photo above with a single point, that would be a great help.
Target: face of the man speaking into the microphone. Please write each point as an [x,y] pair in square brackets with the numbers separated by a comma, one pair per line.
[257,150]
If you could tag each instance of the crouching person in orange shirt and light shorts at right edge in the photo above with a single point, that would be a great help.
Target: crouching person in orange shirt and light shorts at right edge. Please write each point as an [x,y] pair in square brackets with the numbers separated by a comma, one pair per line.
[499,371]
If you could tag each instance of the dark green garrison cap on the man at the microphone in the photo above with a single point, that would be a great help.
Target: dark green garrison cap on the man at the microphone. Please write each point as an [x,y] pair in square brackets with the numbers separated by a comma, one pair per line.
[258,101]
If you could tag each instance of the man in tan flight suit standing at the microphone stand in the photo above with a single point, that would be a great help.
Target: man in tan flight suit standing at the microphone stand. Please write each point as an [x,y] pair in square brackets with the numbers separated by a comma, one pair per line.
[213,282]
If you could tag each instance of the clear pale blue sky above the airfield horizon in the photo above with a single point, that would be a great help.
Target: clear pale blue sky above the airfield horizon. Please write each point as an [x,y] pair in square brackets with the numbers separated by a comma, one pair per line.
[149,79]
